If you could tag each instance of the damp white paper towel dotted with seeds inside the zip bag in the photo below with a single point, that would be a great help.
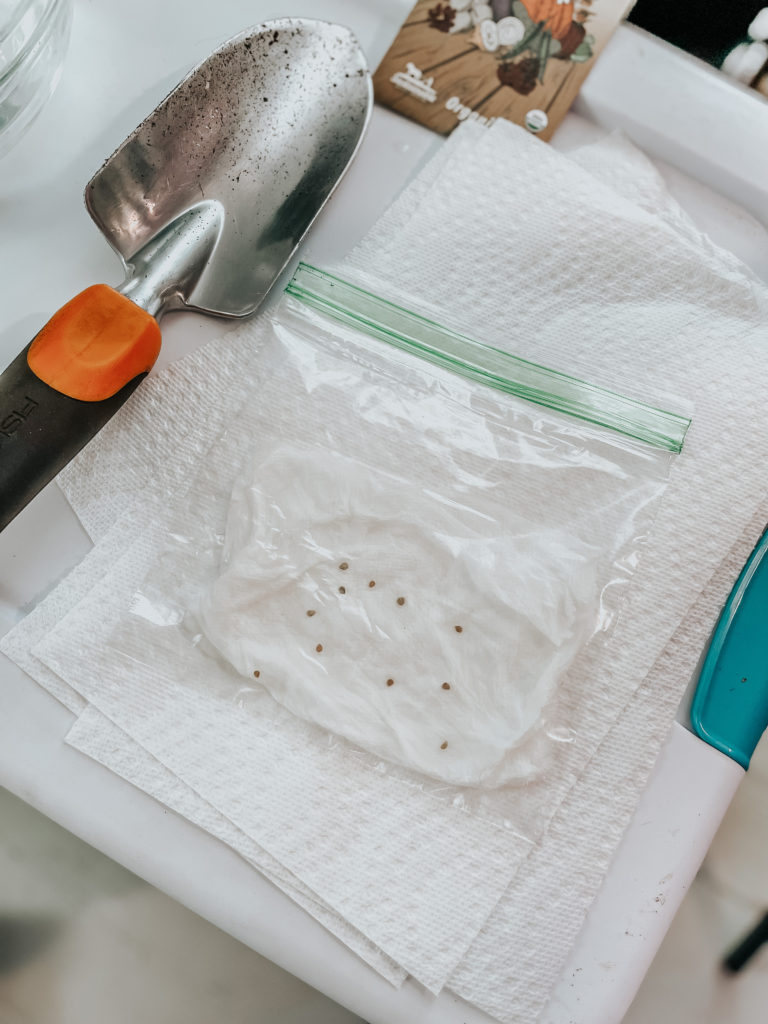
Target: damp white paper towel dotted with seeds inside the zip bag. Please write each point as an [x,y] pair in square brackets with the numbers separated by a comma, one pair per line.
[376,616]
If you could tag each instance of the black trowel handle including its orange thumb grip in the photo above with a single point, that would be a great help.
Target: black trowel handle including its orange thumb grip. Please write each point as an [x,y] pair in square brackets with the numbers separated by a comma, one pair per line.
[62,390]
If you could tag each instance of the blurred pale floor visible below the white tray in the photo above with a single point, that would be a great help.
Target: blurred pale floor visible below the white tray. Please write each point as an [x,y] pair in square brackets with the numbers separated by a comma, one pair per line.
[82,942]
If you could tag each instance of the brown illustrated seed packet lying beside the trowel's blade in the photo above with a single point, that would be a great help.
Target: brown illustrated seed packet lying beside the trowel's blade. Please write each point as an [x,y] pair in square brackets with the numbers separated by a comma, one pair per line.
[520,60]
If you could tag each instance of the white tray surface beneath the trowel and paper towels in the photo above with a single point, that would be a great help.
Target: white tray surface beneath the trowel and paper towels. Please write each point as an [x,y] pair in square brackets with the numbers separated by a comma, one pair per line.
[122,61]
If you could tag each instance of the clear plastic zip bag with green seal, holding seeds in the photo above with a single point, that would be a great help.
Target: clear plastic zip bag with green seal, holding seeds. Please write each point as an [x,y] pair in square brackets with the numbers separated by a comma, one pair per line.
[404,557]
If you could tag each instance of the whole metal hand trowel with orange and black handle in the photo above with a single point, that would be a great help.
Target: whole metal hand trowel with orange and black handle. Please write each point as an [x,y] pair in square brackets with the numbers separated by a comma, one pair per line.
[205,202]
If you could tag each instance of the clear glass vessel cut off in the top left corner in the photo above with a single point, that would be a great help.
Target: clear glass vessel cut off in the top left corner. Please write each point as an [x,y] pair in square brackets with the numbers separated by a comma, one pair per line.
[34,36]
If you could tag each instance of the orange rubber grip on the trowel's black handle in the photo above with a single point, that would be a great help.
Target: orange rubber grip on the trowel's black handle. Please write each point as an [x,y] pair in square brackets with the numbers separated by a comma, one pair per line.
[95,346]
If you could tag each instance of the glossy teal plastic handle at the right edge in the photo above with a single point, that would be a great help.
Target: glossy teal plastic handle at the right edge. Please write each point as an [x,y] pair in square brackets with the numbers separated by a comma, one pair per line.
[731,704]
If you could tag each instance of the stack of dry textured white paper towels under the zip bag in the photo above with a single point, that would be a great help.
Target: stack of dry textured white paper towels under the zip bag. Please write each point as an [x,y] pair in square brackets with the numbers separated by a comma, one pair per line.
[582,264]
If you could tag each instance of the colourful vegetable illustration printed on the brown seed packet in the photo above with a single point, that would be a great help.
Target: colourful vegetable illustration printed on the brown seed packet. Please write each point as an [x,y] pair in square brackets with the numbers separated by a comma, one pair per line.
[523,35]
